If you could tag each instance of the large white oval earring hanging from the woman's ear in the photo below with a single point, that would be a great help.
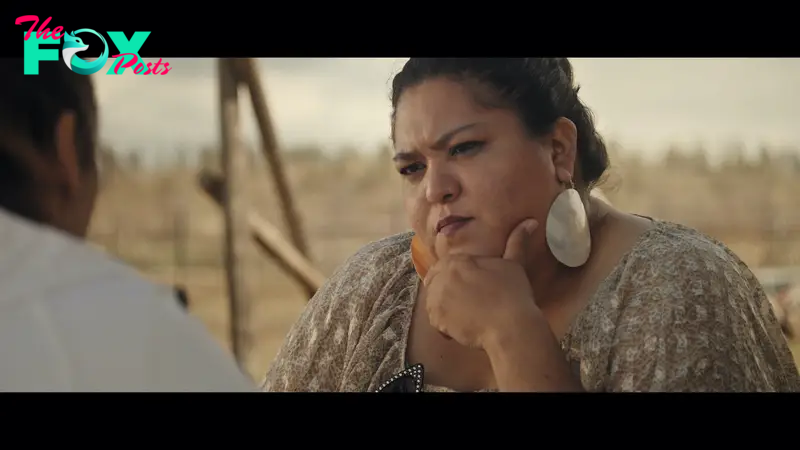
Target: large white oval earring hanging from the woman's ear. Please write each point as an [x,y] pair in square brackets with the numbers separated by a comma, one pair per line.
[567,228]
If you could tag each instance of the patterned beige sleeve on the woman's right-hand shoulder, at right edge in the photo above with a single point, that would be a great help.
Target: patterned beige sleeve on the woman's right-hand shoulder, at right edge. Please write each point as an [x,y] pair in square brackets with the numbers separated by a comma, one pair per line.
[695,319]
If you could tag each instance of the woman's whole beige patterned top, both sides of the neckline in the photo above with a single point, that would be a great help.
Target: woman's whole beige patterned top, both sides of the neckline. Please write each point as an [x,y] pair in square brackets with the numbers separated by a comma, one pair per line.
[680,312]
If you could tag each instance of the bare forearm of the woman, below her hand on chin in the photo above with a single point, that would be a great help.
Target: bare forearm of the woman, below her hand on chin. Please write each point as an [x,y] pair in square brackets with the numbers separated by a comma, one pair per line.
[528,358]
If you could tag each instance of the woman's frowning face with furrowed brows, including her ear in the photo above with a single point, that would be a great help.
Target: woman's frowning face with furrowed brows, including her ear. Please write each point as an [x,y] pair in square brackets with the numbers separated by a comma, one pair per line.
[459,159]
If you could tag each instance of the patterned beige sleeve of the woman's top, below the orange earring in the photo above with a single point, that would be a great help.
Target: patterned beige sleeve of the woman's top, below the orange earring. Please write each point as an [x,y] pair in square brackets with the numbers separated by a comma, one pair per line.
[330,347]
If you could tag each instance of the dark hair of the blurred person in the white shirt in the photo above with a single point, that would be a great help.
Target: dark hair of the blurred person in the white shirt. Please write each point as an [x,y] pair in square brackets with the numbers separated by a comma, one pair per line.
[30,106]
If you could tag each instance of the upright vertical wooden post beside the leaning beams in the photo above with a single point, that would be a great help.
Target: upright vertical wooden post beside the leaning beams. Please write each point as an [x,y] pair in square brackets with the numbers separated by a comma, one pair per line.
[235,207]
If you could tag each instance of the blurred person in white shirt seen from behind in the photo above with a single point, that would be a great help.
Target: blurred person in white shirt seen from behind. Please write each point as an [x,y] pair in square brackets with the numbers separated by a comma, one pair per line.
[71,317]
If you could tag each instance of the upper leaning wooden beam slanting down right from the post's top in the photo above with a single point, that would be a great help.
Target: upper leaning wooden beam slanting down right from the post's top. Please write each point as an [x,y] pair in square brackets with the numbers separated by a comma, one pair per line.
[248,75]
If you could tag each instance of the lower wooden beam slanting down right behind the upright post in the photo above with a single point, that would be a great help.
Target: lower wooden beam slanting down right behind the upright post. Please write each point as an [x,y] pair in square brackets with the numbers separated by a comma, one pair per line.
[270,239]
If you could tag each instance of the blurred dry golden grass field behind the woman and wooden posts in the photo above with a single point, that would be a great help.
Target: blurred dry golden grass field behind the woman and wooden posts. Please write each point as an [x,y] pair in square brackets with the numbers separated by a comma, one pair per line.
[160,222]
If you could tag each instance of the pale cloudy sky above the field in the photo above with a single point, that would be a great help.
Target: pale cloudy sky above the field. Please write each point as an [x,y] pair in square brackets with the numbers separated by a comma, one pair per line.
[645,104]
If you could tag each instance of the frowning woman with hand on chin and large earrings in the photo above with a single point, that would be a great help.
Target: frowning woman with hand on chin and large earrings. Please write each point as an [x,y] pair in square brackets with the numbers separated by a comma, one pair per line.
[518,279]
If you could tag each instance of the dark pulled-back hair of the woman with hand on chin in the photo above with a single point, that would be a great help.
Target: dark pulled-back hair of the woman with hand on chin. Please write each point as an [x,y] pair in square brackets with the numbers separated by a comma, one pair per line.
[540,90]
